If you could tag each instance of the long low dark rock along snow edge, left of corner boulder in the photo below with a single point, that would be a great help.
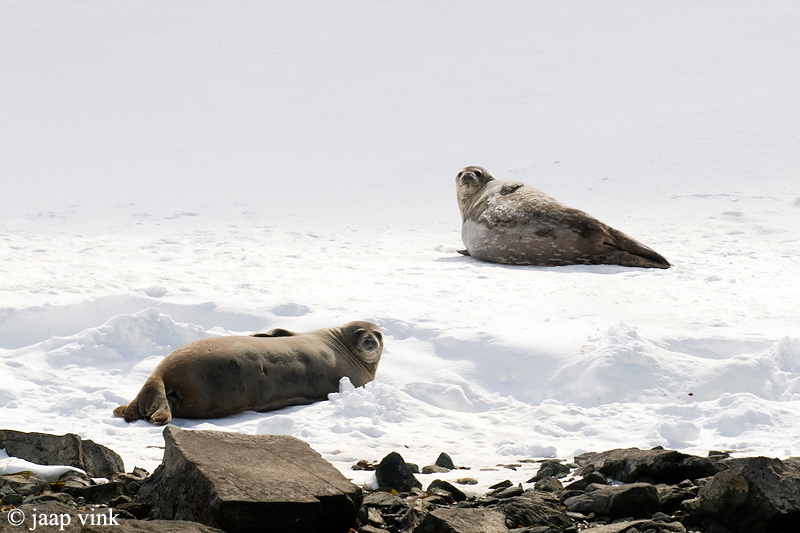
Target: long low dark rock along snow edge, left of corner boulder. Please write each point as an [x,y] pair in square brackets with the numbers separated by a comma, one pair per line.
[657,465]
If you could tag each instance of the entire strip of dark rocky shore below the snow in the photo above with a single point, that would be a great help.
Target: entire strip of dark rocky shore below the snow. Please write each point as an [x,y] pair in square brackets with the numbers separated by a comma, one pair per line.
[217,481]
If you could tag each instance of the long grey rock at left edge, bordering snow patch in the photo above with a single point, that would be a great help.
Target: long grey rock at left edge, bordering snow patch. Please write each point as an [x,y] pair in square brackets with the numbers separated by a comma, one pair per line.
[70,450]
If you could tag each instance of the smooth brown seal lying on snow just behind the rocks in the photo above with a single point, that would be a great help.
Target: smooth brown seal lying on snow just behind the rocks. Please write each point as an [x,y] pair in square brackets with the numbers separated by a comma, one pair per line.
[222,376]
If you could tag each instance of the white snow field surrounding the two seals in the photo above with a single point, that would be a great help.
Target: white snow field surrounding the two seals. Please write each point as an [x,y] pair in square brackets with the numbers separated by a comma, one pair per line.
[176,171]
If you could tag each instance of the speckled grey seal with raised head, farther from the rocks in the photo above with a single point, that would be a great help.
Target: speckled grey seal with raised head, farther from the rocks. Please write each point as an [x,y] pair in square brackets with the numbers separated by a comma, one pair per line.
[511,223]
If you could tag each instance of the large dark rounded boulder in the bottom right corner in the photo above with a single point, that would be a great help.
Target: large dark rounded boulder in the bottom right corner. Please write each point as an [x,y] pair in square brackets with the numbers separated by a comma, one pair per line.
[755,495]
